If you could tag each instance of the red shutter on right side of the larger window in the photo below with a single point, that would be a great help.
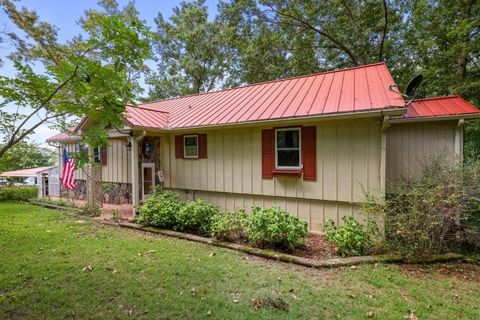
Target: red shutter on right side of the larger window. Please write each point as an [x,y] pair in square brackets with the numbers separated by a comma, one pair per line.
[309,152]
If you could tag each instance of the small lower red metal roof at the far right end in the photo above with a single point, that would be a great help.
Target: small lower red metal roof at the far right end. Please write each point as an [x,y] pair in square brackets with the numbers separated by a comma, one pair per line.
[440,107]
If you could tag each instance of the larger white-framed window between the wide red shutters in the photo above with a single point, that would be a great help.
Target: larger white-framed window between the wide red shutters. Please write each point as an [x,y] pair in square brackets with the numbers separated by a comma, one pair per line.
[287,148]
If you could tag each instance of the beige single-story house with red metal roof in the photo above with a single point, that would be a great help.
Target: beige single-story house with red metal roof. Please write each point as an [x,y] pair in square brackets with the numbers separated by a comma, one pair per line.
[310,144]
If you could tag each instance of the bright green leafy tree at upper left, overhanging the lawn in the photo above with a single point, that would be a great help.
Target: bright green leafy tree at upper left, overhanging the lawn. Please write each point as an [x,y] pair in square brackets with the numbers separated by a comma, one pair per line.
[91,75]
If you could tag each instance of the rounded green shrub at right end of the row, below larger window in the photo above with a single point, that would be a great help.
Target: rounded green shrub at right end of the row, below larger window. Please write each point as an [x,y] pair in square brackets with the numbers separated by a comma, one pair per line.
[276,228]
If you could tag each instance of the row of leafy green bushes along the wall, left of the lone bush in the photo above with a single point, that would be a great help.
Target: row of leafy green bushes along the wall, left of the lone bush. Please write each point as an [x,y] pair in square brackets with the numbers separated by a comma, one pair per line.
[272,227]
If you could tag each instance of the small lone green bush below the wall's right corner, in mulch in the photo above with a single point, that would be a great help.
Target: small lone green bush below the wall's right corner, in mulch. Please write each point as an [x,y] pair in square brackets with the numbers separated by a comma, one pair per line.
[352,238]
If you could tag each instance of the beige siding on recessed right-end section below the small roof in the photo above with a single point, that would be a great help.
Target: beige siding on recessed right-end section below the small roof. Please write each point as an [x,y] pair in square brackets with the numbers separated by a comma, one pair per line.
[413,146]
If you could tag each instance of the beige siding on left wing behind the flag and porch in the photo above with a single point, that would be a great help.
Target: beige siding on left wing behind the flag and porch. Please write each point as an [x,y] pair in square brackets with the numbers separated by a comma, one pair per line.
[117,169]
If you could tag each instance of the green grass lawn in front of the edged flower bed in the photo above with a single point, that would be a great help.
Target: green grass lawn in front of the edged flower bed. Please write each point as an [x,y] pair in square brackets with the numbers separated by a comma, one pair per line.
[54,265]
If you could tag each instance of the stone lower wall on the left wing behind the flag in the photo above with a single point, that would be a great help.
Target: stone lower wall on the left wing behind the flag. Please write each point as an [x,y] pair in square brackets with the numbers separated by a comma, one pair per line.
[113,193]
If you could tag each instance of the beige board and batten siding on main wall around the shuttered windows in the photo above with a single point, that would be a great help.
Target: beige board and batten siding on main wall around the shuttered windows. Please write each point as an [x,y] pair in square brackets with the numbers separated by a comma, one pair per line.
[348,162]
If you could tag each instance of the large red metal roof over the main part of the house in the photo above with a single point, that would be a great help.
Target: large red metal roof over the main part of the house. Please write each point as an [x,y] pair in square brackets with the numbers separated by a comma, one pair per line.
[363,88]
